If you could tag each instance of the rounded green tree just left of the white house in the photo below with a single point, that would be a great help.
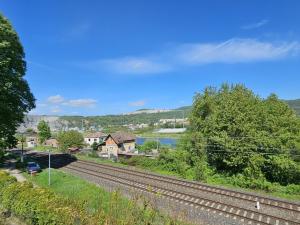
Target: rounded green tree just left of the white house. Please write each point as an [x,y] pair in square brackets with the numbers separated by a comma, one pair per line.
[68,139]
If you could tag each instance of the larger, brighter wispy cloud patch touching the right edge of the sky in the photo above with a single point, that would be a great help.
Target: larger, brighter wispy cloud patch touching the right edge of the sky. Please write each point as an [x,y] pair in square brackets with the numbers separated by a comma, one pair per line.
[235,51]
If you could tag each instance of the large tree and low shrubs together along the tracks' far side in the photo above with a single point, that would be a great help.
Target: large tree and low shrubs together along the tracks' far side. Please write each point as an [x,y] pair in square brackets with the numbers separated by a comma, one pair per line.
[237,138]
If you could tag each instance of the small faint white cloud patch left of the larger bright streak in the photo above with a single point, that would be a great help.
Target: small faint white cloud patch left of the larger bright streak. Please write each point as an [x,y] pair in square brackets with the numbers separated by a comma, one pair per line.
[131,65]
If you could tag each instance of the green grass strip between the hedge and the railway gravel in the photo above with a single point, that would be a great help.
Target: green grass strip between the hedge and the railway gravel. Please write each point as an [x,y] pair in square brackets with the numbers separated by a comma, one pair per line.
[111,207]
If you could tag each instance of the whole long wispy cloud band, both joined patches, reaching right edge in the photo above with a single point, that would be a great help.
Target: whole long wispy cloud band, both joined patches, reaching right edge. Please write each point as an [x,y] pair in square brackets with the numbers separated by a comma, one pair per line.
[234,50]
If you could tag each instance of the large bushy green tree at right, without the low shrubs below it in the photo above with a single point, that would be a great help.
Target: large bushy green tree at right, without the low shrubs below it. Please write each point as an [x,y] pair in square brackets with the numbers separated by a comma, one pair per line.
[240,132]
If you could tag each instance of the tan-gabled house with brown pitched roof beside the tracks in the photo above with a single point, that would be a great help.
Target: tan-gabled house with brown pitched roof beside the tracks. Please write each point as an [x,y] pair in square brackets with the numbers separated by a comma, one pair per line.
[118,143]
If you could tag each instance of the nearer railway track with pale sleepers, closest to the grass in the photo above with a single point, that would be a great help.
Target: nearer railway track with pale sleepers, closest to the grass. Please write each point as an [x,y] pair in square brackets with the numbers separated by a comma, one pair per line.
[240,214]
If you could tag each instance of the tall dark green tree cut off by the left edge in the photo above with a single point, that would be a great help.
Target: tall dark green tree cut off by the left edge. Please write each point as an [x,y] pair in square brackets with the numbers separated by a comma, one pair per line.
[15,96]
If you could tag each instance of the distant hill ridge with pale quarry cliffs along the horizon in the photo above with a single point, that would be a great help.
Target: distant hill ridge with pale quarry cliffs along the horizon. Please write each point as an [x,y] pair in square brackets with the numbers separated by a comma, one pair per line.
[149,116]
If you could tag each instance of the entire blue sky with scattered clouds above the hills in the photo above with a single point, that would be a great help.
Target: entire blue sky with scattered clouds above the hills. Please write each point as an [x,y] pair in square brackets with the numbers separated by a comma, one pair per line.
[110,57]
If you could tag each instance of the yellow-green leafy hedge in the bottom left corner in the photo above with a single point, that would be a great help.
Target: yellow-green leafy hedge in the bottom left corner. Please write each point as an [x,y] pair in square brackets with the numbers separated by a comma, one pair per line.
[37,205]
